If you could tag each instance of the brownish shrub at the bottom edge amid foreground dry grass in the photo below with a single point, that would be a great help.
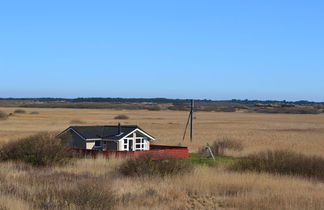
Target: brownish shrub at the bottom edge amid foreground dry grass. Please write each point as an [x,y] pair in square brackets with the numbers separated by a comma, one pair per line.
[90,196]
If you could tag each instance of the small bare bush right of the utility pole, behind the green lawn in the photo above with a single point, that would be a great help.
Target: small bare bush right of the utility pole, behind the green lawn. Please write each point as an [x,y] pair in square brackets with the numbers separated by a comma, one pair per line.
[220,146]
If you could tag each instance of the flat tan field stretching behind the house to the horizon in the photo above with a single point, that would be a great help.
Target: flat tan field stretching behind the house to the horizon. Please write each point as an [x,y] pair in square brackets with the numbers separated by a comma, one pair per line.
[301,133]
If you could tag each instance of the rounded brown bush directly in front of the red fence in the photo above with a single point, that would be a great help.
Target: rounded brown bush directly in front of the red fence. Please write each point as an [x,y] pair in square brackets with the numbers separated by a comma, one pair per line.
[149,165]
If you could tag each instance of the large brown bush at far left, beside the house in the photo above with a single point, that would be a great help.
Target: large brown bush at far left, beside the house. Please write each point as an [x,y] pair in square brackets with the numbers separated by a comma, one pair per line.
[42,149]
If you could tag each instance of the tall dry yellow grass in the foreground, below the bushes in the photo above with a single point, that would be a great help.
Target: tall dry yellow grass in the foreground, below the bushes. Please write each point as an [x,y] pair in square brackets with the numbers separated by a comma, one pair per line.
[205,188]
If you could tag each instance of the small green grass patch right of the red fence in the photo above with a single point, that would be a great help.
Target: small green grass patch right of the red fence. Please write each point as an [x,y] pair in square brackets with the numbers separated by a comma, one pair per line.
[203,159]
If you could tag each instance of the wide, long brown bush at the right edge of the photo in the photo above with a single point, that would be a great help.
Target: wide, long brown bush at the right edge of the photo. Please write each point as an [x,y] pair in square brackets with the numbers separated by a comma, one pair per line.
[282,162]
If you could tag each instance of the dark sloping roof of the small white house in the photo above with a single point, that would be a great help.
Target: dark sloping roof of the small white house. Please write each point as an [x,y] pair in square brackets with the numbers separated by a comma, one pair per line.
[104,131]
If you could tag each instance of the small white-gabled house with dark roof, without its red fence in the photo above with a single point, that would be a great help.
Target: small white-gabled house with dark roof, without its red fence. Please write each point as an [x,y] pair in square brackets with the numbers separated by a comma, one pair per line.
[107,137]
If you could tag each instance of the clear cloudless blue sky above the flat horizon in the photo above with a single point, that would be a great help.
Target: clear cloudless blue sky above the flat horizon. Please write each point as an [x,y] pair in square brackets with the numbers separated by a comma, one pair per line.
[217,49]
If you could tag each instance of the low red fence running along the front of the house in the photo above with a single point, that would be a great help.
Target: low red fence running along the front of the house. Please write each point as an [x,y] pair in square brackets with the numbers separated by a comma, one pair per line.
[156,150]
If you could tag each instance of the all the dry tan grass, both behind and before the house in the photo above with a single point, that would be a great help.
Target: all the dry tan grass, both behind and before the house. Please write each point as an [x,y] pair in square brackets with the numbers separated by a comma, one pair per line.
[205,188]
